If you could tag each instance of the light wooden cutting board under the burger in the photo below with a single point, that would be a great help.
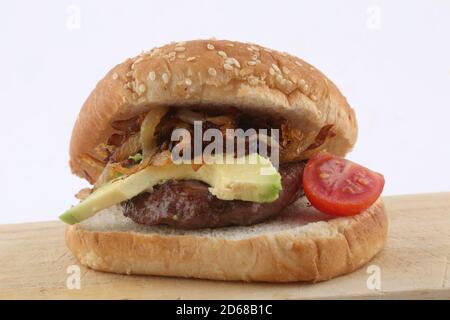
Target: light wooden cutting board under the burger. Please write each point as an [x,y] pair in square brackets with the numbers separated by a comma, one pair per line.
[415,264]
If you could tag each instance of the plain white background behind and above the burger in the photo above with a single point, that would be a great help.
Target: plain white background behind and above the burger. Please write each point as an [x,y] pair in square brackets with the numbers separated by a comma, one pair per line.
[391,59]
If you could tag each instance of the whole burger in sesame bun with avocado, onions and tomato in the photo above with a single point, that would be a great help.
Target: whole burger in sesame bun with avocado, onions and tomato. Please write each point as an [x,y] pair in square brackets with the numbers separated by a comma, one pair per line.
[221,160]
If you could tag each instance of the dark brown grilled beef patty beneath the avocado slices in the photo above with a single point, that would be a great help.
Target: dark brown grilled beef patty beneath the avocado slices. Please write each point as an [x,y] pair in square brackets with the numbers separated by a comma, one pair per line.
[189,205]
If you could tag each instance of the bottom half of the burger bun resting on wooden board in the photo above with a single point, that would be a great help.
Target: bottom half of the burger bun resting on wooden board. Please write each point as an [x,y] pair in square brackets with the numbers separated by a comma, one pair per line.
[300,245]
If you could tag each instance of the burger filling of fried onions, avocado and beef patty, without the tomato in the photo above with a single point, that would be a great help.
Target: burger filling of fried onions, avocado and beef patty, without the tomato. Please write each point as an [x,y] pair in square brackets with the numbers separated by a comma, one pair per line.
[136,170]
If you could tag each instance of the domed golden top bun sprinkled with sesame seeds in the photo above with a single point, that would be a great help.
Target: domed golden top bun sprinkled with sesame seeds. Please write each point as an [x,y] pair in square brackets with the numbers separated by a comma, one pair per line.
[210,74]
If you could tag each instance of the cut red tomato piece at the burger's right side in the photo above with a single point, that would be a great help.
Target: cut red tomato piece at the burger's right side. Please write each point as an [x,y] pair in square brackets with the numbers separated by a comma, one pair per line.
[340,187]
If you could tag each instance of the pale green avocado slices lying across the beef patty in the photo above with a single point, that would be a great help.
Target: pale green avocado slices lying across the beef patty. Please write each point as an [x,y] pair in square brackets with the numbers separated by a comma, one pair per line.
[252,178]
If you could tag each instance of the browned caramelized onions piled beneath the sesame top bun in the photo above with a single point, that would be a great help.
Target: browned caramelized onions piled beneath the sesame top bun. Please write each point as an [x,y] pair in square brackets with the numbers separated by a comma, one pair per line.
[155,132]
